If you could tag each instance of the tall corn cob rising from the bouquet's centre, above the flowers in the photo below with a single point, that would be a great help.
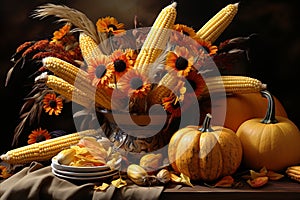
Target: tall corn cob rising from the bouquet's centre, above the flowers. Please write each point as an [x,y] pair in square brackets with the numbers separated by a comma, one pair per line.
[156,39]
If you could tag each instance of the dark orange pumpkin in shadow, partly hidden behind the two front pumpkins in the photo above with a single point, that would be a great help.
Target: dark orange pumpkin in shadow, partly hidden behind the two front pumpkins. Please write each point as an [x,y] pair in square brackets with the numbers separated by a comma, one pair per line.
[239,108]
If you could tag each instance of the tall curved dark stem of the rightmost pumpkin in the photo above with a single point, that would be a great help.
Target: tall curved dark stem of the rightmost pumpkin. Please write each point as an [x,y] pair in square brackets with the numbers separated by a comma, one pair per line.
[270,114]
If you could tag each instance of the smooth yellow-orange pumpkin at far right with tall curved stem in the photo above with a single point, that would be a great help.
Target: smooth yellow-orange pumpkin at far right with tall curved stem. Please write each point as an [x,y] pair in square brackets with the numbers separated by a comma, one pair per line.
[269,142]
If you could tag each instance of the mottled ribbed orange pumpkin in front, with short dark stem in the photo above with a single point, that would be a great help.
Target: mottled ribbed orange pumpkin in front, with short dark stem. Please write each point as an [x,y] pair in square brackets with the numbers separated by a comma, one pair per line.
[205,153]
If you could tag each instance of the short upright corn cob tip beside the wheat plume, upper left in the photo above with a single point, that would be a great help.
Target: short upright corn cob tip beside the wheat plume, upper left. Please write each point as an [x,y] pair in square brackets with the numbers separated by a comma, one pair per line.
[89,48]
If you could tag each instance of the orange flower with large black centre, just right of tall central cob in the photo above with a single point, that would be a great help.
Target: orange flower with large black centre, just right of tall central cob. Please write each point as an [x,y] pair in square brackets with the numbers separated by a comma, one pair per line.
[180,61]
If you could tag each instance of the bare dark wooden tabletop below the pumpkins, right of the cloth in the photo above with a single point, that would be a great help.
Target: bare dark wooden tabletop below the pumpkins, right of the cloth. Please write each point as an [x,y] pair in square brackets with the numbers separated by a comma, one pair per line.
[274,190]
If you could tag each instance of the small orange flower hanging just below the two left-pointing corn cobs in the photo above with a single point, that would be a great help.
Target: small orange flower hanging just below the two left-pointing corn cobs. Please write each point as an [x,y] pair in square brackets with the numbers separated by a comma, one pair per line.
[52,104]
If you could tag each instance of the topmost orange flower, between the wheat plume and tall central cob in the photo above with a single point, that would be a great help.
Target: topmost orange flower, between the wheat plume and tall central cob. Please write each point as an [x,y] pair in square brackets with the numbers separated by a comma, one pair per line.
[110,26]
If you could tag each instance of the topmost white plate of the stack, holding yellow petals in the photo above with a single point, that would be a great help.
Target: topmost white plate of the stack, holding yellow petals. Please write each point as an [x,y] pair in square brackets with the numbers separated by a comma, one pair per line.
[58,166]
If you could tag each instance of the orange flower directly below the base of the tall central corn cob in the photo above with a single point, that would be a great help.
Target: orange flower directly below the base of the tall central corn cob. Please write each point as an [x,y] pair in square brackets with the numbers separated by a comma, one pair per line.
[133,84]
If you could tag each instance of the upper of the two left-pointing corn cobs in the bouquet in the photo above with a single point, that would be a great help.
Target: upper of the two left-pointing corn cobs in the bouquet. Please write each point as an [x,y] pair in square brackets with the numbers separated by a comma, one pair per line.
[72,74]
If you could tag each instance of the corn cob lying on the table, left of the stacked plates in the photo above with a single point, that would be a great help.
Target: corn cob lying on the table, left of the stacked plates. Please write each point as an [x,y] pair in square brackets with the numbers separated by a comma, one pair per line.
[44,150]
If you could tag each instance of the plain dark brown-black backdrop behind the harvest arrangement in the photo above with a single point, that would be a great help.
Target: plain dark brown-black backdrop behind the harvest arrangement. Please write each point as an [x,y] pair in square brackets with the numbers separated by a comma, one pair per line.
[274,57]
